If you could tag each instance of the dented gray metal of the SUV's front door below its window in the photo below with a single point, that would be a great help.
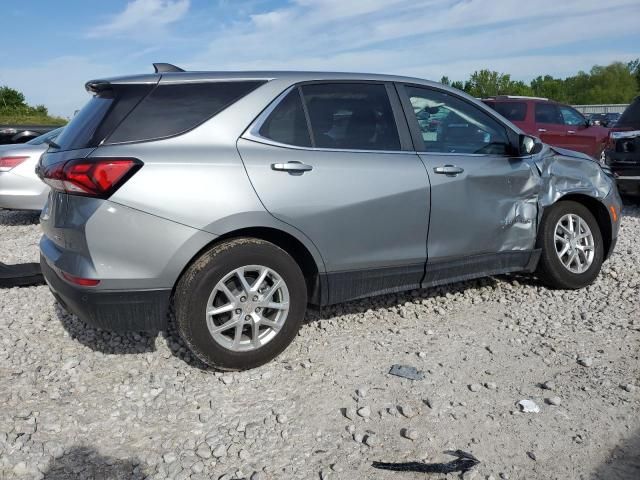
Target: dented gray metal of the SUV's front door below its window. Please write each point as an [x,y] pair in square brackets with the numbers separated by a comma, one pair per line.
[489,208]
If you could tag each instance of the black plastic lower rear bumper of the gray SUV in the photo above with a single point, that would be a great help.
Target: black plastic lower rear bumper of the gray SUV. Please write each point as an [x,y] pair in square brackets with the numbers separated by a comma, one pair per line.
[131,310]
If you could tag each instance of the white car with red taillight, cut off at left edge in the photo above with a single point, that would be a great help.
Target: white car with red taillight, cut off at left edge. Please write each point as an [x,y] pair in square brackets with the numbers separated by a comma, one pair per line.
[20,187]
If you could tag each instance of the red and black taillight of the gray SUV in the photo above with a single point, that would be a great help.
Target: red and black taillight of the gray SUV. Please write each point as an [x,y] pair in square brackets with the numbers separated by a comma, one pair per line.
[92,177]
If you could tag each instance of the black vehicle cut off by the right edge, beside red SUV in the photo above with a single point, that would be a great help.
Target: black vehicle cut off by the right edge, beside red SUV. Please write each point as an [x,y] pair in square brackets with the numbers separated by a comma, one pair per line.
[622,153]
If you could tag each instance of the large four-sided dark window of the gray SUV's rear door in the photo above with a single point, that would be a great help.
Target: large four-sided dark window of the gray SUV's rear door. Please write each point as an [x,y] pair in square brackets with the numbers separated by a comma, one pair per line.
[351,116]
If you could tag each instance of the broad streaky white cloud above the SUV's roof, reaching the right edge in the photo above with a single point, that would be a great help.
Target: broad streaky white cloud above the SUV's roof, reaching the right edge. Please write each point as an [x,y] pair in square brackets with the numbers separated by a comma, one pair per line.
[423,37]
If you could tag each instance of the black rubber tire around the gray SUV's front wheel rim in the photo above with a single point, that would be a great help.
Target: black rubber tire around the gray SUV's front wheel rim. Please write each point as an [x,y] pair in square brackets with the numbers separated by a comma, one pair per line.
[552,269]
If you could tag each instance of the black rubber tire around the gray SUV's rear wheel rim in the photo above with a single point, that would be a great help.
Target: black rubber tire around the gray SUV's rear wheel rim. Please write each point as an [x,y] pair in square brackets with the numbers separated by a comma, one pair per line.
[196,286]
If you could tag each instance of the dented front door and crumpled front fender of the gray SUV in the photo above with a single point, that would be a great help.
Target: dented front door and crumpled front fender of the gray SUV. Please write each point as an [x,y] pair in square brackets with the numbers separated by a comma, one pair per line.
[485,219]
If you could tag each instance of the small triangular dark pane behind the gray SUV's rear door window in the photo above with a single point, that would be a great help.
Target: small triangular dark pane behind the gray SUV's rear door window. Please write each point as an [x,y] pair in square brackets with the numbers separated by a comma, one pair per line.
[287,123]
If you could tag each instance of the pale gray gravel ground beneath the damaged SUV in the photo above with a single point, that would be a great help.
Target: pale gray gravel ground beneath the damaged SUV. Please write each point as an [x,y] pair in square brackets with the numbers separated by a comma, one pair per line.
[83,403]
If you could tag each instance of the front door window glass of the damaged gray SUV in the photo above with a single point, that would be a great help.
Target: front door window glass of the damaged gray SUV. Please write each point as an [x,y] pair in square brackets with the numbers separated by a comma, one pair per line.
[451,125]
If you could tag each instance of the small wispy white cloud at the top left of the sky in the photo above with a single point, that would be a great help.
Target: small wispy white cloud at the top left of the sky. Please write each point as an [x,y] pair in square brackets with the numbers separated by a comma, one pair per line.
[142,17]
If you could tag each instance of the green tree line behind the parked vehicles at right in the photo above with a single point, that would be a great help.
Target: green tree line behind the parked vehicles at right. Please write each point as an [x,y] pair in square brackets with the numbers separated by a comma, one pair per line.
[615,83]
